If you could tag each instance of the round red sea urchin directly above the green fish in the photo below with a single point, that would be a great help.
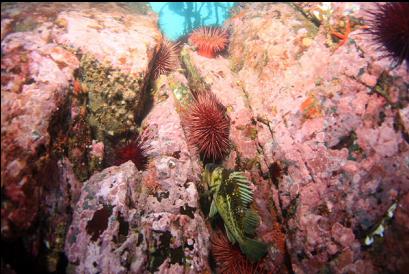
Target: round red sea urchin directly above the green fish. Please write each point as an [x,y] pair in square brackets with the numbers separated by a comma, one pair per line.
[207,126]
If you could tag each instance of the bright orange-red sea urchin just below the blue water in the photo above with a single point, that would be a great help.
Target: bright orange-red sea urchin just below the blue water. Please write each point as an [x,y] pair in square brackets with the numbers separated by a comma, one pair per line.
[209,40]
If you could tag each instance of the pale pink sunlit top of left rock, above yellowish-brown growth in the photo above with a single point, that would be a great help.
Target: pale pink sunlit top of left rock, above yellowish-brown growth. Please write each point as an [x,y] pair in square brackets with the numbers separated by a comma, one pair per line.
[127,46]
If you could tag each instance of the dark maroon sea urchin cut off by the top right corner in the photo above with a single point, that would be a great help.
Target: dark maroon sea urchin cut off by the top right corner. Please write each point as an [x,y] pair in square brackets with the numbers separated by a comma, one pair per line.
[389,25]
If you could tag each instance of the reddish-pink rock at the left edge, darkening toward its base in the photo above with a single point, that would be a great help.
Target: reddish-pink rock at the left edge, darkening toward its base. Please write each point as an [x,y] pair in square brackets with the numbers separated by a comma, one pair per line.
[34,89]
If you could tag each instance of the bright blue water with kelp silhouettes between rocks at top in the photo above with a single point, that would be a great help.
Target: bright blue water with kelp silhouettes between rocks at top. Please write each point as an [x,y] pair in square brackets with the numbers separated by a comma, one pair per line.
[180,18]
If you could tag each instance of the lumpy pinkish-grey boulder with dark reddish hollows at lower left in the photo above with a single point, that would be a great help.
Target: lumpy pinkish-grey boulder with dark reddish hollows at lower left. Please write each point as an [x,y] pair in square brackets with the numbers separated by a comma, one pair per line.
[105,235]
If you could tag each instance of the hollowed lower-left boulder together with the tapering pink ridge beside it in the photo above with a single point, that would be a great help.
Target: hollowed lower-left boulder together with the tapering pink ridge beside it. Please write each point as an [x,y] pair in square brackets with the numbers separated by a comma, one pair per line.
[165,230]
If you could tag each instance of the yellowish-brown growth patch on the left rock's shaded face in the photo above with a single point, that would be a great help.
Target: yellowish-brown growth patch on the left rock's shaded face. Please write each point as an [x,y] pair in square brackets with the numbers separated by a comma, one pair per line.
[114,98]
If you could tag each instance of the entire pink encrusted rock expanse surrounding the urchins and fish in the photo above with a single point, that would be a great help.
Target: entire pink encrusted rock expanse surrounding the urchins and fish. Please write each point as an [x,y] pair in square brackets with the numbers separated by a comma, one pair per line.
[319,123]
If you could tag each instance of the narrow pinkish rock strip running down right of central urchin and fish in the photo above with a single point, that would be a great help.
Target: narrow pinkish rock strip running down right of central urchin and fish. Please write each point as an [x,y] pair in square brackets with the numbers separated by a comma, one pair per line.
[244,154]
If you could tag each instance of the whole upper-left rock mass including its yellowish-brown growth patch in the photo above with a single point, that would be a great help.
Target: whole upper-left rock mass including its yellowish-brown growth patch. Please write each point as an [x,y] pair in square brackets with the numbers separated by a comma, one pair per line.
[51,106]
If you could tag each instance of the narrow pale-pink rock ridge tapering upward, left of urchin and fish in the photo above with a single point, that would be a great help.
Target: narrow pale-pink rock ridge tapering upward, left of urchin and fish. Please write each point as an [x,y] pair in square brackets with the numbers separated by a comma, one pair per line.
[171,211]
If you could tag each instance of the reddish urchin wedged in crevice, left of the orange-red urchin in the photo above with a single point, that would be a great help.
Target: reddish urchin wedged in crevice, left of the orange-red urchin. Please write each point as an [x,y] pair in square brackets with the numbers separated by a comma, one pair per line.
[166,58]
